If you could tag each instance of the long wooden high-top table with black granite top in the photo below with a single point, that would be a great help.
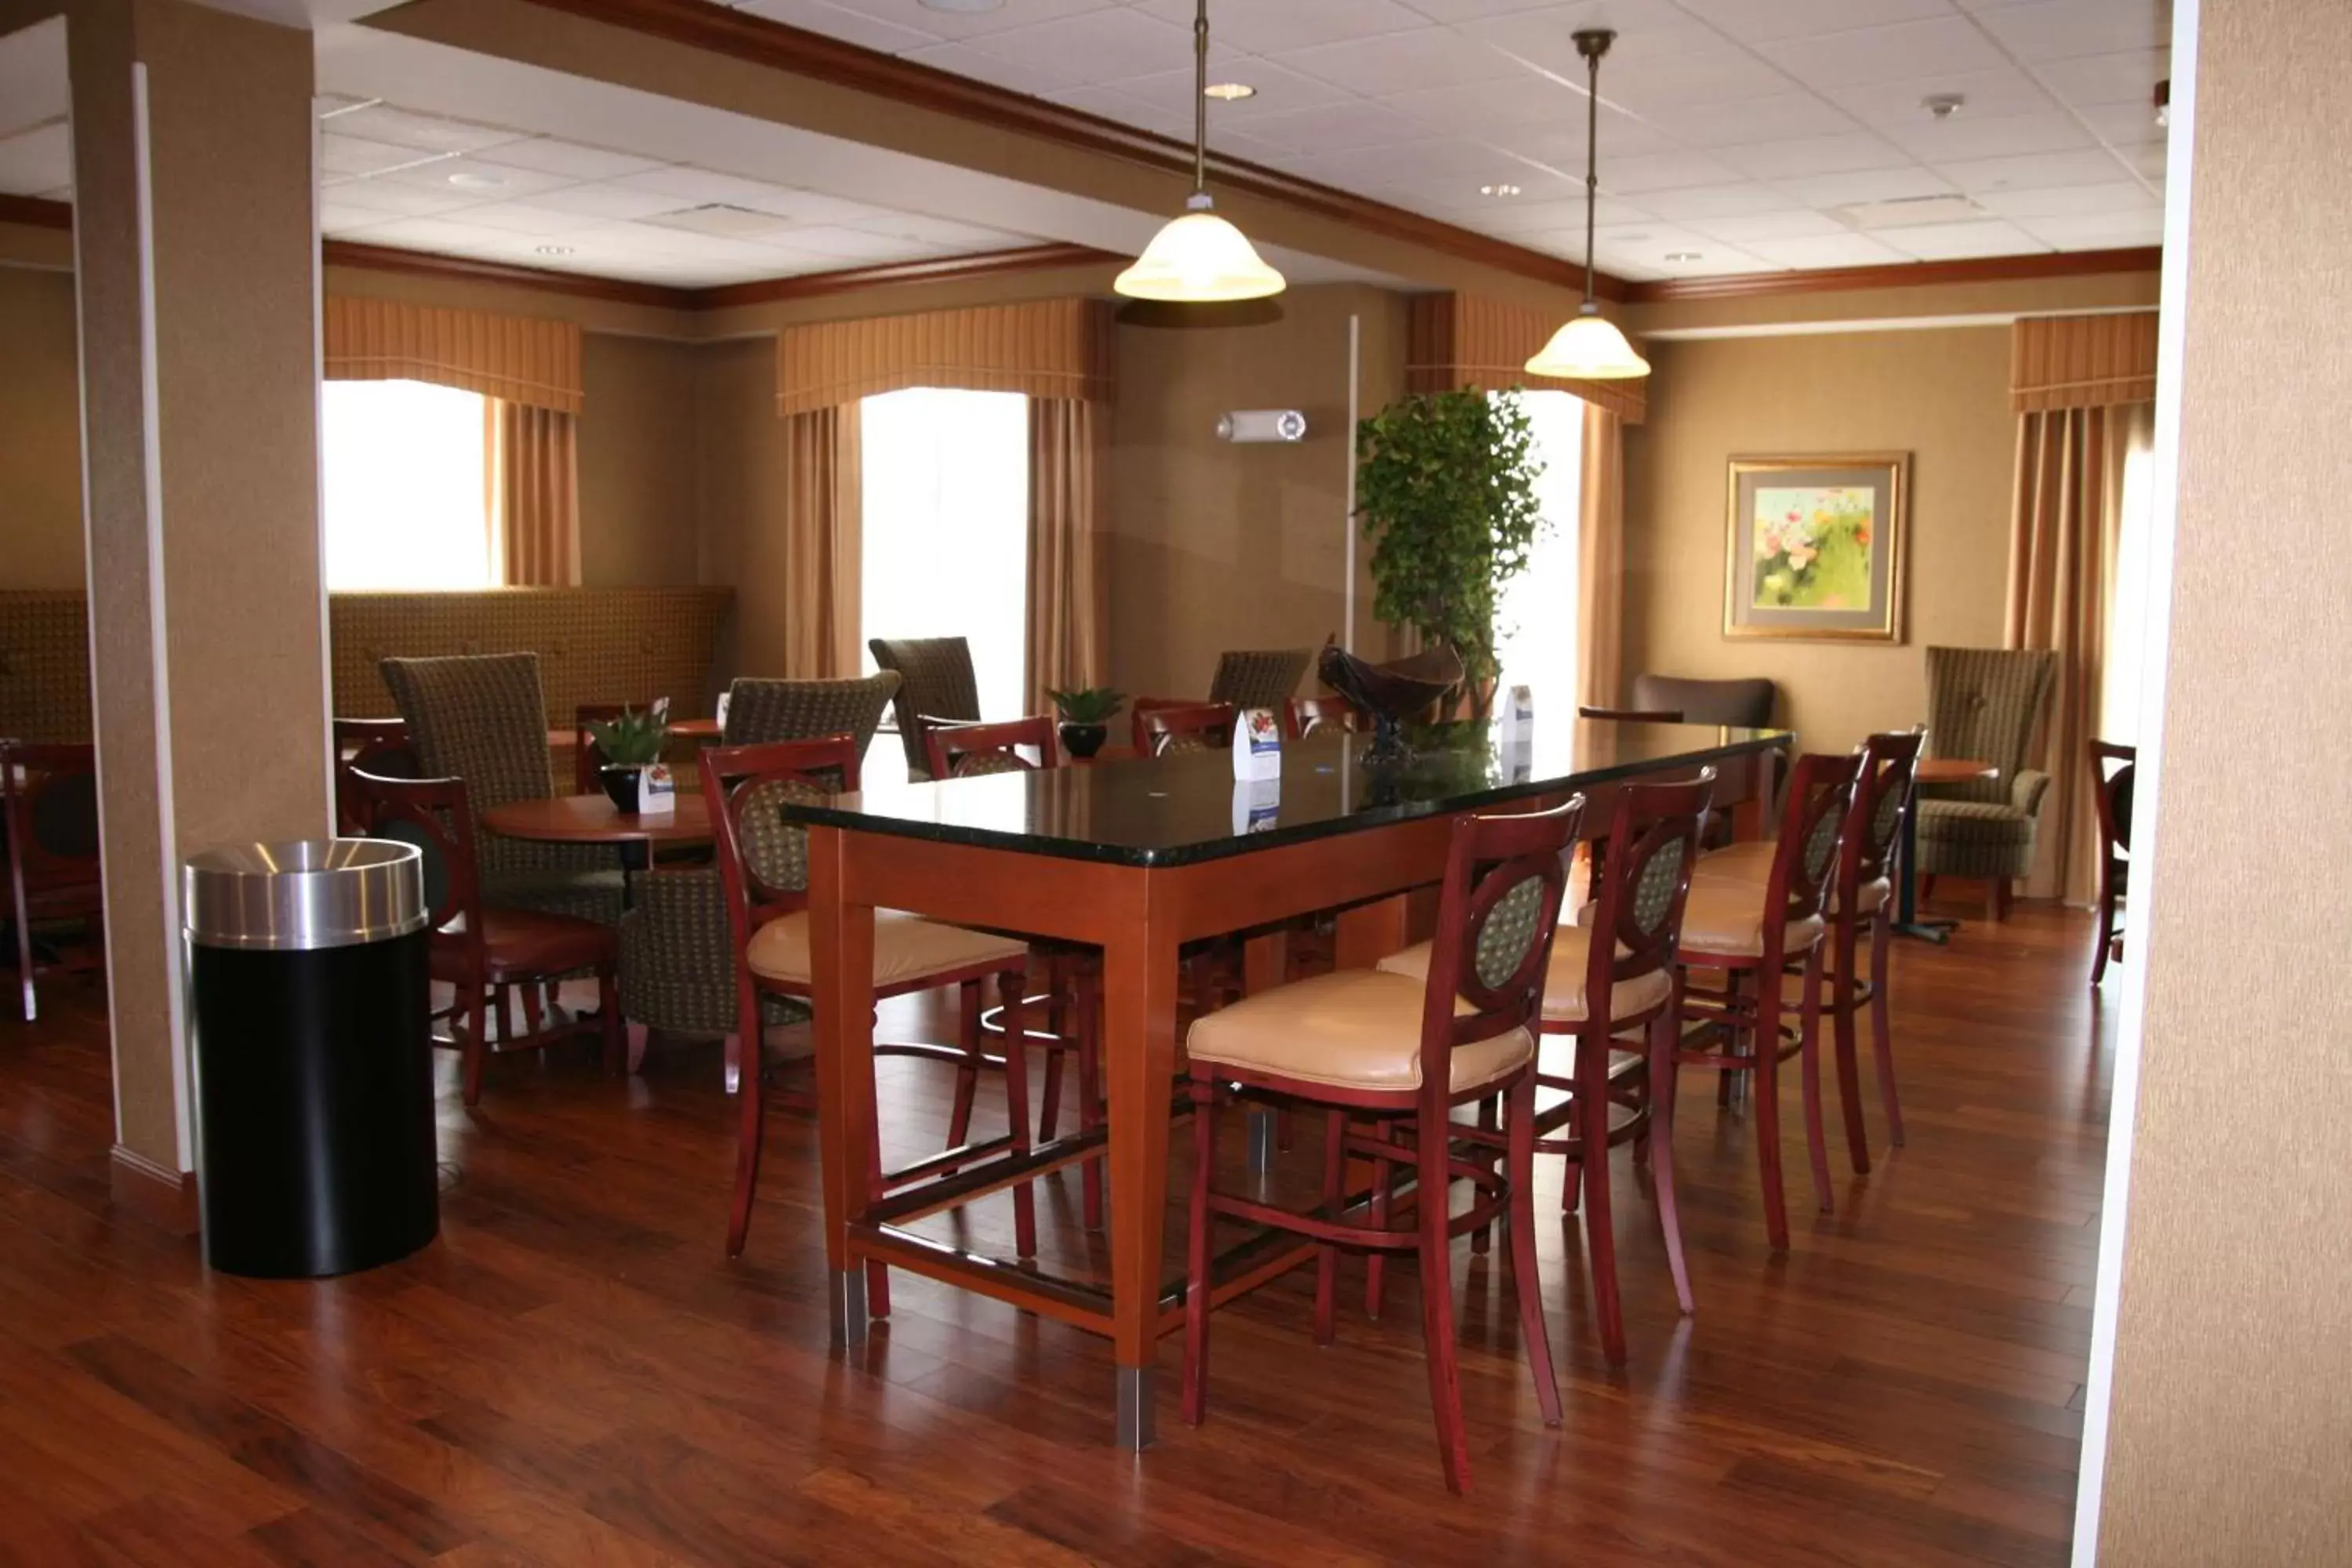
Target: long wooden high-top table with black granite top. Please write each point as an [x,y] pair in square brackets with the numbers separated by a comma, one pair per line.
[1142,857]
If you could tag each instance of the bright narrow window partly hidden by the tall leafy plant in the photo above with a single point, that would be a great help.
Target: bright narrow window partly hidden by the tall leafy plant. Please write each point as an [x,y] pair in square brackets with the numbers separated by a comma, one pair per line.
[1537,622]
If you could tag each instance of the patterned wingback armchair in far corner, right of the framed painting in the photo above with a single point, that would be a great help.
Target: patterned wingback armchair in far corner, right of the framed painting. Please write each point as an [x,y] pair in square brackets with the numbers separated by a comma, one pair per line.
[1984,704]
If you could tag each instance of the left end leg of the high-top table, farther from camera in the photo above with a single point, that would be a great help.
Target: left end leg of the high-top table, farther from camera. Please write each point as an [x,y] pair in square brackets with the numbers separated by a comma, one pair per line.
[843,984]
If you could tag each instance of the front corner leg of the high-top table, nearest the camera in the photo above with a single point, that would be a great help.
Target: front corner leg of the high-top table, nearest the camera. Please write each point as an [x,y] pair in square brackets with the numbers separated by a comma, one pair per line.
[1140,1057]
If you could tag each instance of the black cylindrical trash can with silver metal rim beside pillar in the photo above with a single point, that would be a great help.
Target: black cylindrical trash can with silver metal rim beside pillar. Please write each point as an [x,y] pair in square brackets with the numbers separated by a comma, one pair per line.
[314,1057]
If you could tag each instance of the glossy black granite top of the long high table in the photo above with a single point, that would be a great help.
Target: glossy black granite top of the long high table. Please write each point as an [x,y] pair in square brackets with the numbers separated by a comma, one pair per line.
[1189,808]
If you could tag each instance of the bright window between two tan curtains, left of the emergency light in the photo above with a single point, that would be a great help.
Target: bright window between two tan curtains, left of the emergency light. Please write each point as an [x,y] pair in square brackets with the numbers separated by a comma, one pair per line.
[947,530]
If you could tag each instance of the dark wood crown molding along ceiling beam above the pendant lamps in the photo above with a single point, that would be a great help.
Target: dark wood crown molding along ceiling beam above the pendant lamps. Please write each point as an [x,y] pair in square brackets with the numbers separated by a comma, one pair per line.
[886,76]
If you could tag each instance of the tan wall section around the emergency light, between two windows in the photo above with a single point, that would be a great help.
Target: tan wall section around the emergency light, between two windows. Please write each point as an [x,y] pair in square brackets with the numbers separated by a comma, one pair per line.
[1217,547]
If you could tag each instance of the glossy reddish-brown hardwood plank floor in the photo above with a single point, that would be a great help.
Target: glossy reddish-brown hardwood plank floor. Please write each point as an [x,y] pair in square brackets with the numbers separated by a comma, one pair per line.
[575,1374]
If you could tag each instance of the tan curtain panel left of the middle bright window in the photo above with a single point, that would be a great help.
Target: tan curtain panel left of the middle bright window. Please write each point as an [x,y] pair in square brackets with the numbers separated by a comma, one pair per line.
[822,537]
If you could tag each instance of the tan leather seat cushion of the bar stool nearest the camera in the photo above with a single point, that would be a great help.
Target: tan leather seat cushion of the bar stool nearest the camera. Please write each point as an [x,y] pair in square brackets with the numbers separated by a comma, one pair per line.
[1356,1028]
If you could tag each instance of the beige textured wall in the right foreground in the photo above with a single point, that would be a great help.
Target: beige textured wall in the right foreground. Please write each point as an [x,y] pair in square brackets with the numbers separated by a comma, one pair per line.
[2236,1320]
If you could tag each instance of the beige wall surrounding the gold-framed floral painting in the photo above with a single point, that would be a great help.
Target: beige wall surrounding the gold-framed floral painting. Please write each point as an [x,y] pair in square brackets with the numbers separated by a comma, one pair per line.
[1942,396]
